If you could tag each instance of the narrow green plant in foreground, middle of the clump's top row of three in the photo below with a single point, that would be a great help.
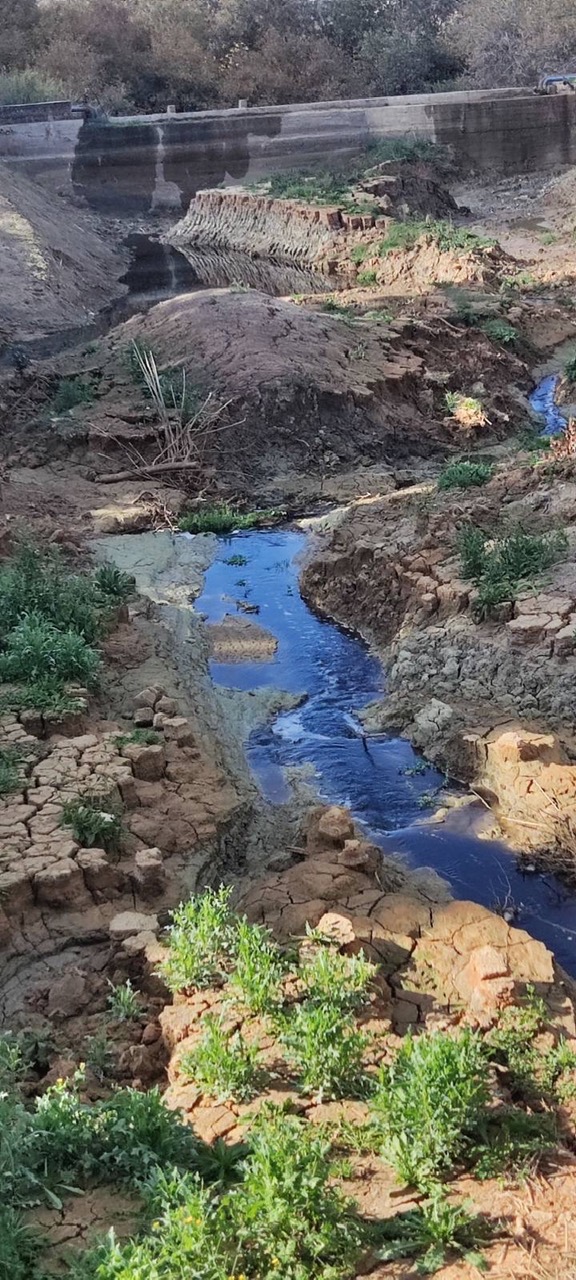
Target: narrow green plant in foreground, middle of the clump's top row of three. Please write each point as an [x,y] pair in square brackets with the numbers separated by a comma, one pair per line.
[259,968]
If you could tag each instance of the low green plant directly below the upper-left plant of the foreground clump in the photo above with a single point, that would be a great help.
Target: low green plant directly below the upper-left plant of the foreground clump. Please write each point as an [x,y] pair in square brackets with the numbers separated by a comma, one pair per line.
[225,1066]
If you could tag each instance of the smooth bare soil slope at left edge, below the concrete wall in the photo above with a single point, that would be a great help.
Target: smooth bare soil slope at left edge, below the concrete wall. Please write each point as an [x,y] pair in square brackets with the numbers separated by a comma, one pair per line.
[57,268]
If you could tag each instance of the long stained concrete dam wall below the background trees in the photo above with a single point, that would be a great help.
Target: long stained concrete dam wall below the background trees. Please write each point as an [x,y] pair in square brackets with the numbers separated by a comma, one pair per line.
[145,164]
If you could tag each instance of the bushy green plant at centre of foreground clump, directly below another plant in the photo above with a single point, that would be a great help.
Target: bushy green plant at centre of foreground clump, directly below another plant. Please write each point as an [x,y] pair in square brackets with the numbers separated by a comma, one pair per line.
[327,1050]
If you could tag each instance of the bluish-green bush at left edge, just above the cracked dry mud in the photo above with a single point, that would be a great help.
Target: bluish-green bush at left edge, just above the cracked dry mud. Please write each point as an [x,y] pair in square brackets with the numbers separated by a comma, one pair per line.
[38,650]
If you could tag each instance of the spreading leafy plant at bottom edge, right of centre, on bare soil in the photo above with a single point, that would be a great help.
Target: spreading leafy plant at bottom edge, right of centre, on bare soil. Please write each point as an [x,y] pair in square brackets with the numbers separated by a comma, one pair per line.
[433,1232]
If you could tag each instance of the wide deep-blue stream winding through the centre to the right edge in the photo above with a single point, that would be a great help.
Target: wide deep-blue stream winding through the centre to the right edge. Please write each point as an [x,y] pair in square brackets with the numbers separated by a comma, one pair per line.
[336,675]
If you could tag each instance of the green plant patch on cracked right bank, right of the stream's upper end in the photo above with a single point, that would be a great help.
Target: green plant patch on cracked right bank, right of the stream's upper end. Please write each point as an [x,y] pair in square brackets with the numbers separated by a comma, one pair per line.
[499,566]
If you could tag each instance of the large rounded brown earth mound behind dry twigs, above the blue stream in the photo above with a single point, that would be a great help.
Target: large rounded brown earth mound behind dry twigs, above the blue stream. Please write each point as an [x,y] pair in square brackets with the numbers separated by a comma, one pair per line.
[304,390]
